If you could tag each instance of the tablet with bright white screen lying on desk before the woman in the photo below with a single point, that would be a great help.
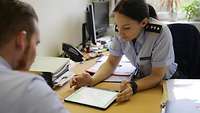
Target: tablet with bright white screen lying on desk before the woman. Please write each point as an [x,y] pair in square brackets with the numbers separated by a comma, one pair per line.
[93,97]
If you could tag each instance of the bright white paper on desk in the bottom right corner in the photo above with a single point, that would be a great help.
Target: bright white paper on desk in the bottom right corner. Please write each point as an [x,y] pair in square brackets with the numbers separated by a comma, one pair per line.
[183,96]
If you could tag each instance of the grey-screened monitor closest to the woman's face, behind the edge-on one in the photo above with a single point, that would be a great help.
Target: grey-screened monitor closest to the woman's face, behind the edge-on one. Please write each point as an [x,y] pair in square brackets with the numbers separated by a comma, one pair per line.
[101,16]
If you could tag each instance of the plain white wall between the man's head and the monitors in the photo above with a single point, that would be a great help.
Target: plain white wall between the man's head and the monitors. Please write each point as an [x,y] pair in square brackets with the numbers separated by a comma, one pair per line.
[59,21]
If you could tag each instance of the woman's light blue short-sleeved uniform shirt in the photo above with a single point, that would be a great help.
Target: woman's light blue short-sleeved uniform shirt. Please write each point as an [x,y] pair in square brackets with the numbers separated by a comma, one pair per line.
[150,50]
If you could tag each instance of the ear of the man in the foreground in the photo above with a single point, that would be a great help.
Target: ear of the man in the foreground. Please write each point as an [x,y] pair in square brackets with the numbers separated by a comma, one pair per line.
[21,40]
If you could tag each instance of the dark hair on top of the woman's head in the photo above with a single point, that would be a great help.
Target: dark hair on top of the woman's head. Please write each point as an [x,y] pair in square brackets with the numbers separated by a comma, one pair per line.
[135,9]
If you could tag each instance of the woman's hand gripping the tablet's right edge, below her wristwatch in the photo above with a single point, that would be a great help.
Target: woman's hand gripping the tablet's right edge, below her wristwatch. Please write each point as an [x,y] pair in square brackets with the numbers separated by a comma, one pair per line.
[125,92]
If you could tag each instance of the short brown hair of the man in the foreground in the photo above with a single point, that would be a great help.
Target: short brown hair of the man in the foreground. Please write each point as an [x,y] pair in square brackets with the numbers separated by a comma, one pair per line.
[15,16]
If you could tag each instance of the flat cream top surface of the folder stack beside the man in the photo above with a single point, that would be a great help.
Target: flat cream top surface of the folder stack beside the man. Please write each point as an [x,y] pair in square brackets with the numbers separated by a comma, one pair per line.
[48,64]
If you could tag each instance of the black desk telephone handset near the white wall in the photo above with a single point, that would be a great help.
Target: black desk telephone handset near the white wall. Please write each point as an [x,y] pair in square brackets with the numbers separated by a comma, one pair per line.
[72,52]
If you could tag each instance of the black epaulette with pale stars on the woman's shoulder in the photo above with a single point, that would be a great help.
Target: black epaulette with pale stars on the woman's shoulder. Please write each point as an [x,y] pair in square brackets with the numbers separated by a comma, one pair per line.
[153,28]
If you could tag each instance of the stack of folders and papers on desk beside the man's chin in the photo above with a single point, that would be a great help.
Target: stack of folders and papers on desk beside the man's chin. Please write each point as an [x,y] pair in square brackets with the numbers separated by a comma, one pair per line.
[58,67]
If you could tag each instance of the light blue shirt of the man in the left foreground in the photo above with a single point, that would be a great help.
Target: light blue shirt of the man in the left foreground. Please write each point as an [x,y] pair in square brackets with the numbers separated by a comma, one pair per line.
[22,92]
